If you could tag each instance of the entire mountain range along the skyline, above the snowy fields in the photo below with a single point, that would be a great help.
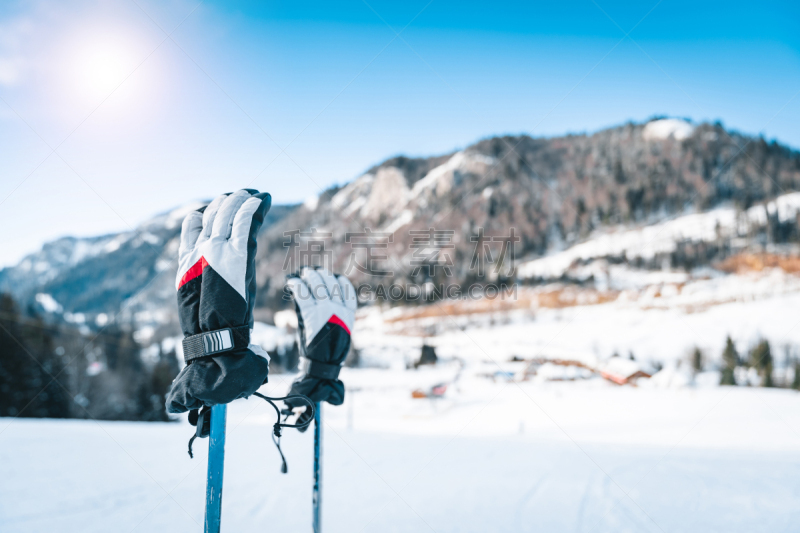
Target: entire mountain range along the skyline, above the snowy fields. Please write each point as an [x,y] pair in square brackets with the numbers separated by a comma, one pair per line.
[665,194]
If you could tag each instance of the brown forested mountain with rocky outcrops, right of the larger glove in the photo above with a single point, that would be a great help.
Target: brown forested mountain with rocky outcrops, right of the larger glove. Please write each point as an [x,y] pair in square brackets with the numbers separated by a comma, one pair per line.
[555,193]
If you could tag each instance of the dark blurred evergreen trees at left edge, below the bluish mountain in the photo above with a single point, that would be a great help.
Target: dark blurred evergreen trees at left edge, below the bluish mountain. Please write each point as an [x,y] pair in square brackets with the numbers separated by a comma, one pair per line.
[44,371]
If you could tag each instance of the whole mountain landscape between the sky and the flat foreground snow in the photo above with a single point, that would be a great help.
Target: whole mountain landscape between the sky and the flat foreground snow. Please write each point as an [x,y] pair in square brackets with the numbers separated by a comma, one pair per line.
[642,250]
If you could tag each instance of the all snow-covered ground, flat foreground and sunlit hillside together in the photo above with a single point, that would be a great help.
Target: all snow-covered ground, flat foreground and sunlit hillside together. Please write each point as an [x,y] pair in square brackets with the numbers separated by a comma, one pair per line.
[504,448]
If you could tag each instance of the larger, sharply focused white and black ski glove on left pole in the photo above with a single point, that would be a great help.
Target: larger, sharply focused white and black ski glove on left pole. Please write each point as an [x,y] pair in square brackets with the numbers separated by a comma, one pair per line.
[216,286]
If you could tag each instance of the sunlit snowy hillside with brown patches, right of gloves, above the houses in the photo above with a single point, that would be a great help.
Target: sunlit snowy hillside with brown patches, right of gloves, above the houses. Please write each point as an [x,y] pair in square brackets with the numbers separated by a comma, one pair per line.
[661,320]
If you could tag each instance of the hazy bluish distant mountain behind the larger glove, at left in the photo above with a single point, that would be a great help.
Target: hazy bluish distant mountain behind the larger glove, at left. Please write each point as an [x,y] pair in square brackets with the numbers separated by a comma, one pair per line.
[127,276]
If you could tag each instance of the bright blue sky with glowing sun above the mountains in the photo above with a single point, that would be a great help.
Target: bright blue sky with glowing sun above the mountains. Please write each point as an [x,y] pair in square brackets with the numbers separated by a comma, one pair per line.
[293,97]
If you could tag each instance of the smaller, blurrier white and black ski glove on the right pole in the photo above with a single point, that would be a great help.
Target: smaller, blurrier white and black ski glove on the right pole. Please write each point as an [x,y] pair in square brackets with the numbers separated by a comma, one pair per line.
[326,311]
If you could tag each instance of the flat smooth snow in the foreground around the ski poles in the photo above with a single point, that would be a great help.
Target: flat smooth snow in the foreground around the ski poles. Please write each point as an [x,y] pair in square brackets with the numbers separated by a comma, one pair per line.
[490,456]
